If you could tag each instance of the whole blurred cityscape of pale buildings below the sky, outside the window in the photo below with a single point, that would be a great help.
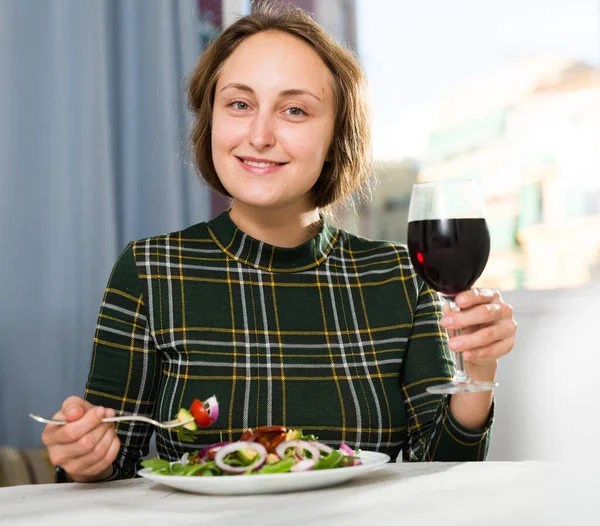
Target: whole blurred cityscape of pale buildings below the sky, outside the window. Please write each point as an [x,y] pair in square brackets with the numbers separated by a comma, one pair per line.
[530,135]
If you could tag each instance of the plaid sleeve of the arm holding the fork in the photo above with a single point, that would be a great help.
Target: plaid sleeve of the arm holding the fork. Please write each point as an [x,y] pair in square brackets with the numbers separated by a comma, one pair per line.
[125,367]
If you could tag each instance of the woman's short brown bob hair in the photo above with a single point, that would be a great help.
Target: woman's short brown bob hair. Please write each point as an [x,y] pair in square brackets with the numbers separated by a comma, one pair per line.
[349,161]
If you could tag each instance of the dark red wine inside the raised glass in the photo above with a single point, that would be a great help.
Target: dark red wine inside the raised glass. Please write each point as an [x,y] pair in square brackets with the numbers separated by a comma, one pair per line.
[449,254]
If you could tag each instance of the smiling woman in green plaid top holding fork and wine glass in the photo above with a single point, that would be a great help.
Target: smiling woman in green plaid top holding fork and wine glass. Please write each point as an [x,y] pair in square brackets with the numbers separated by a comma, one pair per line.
[287,319]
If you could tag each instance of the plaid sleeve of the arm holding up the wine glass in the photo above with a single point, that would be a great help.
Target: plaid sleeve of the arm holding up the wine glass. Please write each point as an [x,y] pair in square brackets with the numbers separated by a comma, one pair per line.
[433,433]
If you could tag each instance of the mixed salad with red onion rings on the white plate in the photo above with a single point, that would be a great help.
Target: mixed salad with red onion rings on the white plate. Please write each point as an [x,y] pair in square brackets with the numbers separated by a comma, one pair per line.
[265,450]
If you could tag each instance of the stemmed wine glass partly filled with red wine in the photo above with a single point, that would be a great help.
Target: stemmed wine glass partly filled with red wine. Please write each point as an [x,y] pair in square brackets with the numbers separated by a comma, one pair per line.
[449,245]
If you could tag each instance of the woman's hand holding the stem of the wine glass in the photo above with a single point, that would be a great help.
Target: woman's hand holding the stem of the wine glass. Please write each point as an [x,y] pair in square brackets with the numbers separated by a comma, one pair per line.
[487,324]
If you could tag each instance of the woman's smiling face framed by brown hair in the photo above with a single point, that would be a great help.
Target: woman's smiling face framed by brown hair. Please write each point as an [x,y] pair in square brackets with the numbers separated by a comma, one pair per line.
[272,122]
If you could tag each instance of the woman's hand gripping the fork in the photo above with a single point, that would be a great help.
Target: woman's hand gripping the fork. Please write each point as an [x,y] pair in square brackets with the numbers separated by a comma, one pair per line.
[85,447]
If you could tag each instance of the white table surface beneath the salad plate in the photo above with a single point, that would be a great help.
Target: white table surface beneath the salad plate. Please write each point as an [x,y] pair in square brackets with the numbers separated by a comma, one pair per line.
[489,493]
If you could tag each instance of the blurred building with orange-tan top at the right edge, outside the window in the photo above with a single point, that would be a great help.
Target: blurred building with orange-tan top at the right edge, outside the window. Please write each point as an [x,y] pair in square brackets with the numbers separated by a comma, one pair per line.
[559,132]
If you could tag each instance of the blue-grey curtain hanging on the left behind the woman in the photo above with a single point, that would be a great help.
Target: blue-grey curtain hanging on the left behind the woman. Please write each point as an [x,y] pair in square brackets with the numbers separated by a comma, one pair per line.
[93,139]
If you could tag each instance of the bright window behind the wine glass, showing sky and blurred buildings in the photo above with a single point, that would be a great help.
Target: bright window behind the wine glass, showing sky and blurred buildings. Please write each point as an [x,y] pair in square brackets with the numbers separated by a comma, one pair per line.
[488,90]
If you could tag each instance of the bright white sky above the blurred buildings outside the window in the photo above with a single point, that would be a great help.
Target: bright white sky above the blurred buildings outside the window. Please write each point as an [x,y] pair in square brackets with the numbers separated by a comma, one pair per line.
[414,50]
